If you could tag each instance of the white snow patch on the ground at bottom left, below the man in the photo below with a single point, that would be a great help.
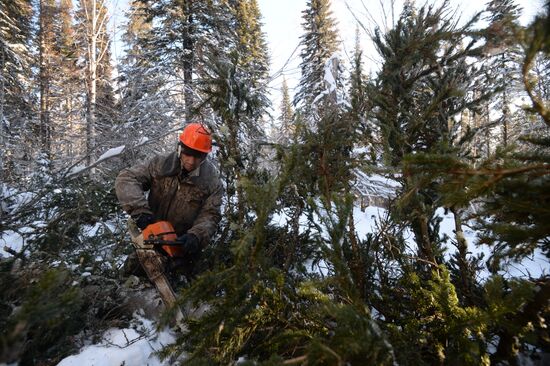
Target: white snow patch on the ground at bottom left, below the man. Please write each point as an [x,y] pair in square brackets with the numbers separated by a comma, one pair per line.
[125,347]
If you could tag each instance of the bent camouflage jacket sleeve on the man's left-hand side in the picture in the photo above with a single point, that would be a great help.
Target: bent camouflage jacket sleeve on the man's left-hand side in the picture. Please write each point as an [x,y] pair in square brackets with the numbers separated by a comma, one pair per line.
[131,185]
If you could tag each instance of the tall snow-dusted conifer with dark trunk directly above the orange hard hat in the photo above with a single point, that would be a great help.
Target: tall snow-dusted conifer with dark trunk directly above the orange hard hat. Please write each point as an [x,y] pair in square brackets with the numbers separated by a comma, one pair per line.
[186,35]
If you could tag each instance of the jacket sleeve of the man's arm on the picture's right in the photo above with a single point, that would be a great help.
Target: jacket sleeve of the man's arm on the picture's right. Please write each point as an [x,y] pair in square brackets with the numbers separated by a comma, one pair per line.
[209,216]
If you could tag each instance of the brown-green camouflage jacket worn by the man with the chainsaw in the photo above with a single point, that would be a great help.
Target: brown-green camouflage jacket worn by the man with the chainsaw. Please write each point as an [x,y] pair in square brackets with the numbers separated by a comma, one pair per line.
[190,202]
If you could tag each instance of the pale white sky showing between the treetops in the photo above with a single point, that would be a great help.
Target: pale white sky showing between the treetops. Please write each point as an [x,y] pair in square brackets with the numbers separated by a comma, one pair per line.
[282,25]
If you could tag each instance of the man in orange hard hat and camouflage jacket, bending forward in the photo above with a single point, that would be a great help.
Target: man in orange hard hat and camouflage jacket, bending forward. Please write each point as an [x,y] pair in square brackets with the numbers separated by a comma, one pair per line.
[184,189]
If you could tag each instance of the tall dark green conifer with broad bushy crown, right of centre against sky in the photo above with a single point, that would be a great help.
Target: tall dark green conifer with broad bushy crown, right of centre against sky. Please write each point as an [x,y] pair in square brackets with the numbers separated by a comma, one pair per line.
[418,92]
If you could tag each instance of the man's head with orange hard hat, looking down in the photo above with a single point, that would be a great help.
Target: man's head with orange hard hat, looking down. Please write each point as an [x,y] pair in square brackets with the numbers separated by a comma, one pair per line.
[195,142]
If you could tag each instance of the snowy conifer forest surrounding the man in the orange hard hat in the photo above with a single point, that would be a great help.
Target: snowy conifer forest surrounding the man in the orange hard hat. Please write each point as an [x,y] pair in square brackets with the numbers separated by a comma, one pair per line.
[454,121]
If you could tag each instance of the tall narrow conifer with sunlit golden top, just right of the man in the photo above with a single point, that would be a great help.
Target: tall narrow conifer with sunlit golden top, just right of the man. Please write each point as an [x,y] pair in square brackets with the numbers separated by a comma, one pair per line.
[236,90]
